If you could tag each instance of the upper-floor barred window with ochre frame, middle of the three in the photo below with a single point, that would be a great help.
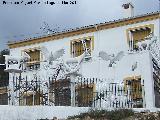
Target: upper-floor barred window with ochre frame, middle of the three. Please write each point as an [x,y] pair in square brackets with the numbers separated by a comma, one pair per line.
[77,47]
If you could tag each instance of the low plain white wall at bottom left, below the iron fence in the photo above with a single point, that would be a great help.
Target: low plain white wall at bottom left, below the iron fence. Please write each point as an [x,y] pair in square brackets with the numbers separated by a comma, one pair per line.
[38,112]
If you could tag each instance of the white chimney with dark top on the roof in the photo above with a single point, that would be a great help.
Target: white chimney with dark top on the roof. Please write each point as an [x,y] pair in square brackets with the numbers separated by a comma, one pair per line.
[128,9]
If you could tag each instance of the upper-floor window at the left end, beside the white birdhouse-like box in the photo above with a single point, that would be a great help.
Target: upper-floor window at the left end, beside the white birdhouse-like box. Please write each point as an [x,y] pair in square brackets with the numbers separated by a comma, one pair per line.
[34,62]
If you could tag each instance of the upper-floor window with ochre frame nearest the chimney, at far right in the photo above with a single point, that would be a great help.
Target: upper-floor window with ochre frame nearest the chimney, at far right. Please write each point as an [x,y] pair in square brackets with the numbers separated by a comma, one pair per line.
[138,34]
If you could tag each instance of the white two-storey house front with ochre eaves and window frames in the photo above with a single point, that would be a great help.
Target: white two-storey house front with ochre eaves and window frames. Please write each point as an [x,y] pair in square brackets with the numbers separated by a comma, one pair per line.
[121,54]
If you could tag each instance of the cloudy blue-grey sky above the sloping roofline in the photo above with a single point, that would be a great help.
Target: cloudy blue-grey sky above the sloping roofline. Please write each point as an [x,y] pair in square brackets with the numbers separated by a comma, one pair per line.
[20,21]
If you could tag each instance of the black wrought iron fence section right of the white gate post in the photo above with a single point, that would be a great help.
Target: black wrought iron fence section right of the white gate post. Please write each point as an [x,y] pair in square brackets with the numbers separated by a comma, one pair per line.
[97,93]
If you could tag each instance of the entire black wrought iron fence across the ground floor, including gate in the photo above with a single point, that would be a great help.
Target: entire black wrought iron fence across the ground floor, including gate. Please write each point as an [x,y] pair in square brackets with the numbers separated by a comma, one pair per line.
[85,92]
